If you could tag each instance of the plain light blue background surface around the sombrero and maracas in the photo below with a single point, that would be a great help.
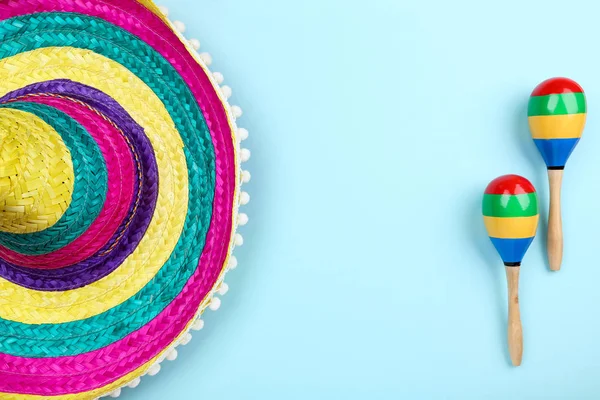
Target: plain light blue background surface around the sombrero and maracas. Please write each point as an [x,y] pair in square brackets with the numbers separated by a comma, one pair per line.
[367,273]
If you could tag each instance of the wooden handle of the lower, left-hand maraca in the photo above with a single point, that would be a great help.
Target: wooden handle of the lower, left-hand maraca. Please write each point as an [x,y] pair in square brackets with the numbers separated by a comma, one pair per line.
[515,330]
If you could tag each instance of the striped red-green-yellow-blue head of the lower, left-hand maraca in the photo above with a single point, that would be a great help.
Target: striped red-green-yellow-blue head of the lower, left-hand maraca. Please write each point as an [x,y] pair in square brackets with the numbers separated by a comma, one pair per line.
[510,213]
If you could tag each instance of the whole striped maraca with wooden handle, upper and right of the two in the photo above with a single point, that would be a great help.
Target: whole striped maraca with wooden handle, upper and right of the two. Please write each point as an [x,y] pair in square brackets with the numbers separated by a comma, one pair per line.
[557,114]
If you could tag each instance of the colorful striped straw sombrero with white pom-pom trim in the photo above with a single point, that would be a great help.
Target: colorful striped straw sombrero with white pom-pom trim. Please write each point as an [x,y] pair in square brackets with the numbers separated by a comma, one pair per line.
[120,183]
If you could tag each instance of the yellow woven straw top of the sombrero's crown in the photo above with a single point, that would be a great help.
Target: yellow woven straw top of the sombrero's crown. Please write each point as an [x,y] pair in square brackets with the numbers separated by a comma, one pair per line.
[36,173]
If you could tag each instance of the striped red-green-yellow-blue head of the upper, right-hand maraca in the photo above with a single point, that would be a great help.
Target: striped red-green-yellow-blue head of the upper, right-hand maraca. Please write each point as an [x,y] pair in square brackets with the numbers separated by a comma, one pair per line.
[557,114]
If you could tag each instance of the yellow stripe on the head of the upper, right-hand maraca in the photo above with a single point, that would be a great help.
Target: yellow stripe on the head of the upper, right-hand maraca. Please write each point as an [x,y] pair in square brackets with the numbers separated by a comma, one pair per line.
[567,126]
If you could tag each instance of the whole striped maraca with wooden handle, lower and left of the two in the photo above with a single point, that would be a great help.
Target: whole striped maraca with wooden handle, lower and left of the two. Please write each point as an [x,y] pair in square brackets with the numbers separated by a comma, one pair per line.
[510,214]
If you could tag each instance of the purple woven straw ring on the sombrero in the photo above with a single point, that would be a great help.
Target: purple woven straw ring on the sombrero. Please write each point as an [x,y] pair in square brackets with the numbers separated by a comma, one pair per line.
[133,227]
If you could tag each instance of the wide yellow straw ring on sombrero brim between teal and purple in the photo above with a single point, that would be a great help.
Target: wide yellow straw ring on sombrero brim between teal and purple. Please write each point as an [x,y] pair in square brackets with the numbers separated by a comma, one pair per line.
[32,307]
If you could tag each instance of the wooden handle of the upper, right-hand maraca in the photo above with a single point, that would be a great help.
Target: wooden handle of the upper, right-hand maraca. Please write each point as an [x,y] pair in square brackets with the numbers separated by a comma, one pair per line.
[555,236]
